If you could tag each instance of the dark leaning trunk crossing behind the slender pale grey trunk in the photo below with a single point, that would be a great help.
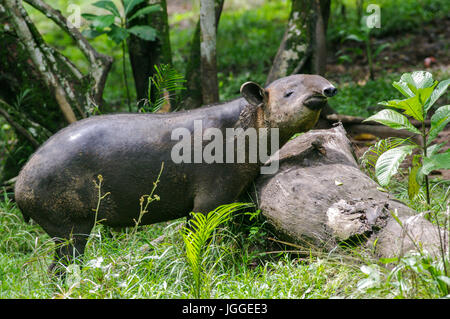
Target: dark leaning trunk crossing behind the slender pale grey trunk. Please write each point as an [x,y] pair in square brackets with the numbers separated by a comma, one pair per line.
[193,96]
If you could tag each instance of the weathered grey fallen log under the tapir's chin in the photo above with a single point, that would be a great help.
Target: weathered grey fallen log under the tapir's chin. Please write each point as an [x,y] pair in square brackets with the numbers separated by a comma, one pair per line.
[320,197]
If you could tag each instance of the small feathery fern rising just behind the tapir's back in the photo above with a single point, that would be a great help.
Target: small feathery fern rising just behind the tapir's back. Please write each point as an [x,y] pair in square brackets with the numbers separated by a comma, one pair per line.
[167,82]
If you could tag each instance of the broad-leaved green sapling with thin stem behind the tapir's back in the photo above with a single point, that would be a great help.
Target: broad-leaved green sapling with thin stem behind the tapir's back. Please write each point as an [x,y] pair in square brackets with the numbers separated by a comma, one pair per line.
[115,26]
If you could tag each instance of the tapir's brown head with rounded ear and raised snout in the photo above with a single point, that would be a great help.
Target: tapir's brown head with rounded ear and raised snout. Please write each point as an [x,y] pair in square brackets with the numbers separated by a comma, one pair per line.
[291,103]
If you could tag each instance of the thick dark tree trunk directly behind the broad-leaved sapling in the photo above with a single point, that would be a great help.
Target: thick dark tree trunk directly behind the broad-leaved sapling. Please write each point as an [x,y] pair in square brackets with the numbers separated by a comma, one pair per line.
[144,55]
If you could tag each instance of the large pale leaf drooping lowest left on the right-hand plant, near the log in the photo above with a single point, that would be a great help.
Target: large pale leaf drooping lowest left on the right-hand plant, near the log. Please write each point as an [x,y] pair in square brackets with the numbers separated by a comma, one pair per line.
[388,163]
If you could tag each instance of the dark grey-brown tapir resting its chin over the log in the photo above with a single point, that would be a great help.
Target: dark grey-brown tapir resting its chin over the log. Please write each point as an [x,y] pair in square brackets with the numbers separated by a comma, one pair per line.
[57,186]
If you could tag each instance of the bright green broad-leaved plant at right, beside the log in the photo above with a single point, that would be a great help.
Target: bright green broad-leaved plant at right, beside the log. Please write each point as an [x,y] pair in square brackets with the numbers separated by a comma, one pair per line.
[421,92]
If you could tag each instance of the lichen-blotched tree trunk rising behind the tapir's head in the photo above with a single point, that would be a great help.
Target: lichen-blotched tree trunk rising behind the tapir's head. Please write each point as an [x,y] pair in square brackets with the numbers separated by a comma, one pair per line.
[303,47]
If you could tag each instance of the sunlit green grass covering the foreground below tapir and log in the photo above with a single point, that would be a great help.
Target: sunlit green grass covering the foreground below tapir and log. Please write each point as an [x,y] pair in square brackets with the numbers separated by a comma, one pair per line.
[241,263]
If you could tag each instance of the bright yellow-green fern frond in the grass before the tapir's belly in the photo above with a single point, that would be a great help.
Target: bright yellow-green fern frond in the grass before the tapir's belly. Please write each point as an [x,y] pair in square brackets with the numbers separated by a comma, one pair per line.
[197,237]
